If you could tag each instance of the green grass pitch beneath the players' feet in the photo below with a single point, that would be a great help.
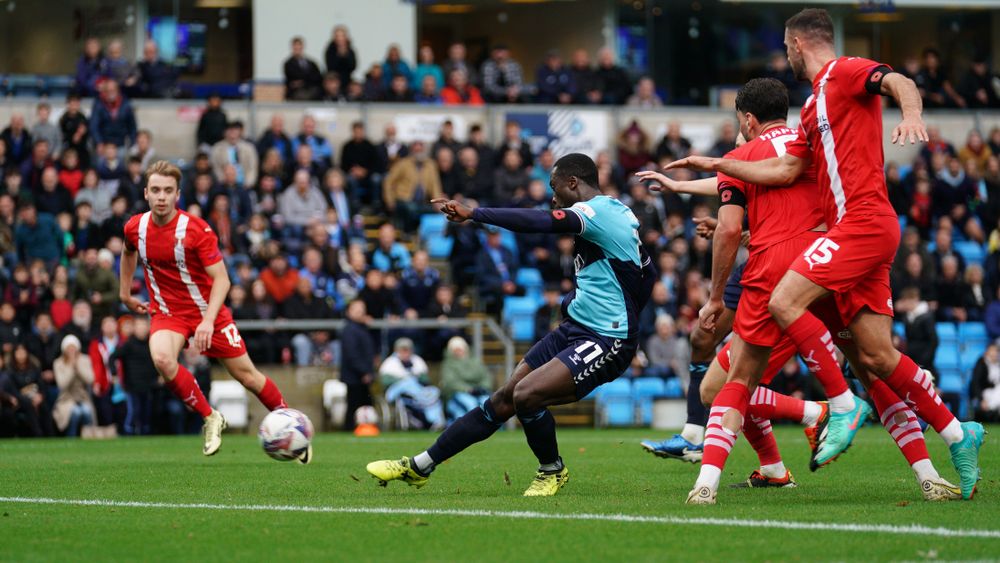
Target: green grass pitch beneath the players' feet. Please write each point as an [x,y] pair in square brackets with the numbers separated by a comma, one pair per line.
[609,472]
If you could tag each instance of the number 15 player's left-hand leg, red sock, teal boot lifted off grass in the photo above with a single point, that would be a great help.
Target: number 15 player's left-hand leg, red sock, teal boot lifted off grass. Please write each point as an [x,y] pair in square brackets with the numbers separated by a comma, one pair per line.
[789,306]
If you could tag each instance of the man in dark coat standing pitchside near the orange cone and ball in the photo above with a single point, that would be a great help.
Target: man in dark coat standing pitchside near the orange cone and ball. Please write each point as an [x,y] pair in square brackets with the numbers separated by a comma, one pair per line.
[357,367]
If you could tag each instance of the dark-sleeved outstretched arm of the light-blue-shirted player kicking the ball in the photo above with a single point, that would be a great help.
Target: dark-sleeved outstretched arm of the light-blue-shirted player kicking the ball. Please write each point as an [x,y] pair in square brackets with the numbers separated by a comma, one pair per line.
[517,220]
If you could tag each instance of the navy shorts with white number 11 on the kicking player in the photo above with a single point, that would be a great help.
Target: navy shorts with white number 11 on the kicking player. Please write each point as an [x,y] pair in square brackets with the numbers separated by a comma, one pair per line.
[592,359]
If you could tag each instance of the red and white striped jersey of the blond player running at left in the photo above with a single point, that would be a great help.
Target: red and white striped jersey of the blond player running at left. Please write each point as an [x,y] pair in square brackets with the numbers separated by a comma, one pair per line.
[175,257]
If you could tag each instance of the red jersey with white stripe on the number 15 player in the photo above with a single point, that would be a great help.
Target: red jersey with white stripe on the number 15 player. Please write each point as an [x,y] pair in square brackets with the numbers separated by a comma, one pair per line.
[842,126]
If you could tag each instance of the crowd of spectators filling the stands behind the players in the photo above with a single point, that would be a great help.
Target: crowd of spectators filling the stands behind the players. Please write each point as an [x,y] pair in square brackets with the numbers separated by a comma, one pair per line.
[290,212]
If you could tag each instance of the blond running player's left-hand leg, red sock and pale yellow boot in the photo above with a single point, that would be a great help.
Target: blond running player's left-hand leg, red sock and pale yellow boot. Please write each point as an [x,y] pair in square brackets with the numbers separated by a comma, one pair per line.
[164,346]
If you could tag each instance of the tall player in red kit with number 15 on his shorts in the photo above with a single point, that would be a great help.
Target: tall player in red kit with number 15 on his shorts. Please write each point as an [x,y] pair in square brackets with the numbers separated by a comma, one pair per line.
[842,142]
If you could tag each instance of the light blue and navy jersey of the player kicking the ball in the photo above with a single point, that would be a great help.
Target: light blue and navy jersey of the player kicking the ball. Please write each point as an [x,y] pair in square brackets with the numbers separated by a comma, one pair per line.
[610,286]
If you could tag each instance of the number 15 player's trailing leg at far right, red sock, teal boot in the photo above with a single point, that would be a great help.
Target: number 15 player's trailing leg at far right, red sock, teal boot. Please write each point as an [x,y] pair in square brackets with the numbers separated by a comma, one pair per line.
[875,352]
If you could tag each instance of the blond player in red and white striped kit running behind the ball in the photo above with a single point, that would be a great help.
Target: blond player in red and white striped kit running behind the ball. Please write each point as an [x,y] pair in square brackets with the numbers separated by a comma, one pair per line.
[187,283]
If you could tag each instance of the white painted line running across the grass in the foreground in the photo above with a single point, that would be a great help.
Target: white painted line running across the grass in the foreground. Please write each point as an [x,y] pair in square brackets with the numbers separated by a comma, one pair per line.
[913,529]
